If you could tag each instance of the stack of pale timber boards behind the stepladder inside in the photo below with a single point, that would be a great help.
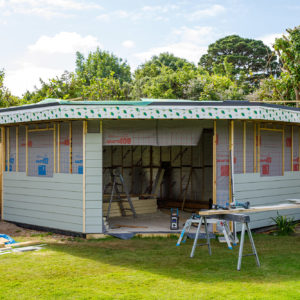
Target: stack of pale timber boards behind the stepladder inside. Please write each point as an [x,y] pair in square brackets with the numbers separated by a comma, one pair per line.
[141,206]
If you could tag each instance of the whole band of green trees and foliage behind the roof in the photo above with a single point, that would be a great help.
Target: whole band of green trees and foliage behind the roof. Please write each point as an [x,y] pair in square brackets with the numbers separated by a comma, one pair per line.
[234,68]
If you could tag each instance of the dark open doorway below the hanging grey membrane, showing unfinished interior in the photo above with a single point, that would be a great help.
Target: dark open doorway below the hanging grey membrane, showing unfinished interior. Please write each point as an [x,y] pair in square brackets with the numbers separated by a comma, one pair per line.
[157,179]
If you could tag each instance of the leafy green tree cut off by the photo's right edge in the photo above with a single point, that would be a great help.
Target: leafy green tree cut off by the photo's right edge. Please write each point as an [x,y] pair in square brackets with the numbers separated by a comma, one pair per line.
[288,51]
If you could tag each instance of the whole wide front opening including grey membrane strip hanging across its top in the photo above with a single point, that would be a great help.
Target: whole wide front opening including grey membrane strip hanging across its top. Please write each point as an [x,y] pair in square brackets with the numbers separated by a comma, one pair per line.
[157,177]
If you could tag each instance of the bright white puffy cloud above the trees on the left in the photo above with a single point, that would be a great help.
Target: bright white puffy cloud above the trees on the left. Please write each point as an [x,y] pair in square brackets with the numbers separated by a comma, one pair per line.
[65,42]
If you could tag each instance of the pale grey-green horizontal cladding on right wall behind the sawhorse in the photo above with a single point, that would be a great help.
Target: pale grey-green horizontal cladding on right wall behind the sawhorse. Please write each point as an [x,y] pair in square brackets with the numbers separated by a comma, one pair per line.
[262,191]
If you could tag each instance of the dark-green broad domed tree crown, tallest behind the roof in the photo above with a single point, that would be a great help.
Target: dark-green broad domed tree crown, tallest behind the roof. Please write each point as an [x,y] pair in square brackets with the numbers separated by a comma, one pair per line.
[247,56]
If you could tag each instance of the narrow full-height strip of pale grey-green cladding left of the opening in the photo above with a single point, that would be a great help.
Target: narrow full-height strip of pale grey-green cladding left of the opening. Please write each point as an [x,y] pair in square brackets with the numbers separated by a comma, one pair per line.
[93,180]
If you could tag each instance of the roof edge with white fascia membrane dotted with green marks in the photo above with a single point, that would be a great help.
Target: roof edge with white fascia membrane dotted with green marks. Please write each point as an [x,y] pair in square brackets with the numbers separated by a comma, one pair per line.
[172,109]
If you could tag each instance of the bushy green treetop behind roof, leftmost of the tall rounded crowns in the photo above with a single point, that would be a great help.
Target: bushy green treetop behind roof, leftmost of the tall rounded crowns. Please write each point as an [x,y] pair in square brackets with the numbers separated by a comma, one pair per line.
[100,64]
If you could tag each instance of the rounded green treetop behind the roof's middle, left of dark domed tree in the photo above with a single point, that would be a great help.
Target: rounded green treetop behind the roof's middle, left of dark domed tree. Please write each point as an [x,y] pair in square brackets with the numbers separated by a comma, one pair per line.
[154,66]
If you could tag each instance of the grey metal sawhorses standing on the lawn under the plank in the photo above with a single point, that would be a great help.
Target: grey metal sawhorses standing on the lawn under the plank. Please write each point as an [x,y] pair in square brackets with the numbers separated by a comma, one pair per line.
[239,218]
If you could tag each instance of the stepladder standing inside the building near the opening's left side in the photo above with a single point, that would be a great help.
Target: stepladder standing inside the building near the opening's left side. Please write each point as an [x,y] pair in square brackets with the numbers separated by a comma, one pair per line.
[117,176]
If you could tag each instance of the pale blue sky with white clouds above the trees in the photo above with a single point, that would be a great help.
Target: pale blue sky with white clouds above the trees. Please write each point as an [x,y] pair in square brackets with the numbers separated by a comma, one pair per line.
[39,38]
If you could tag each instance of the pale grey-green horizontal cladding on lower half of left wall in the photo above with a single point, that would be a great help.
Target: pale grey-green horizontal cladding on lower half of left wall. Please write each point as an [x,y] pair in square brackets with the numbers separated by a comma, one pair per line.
[54,202]
